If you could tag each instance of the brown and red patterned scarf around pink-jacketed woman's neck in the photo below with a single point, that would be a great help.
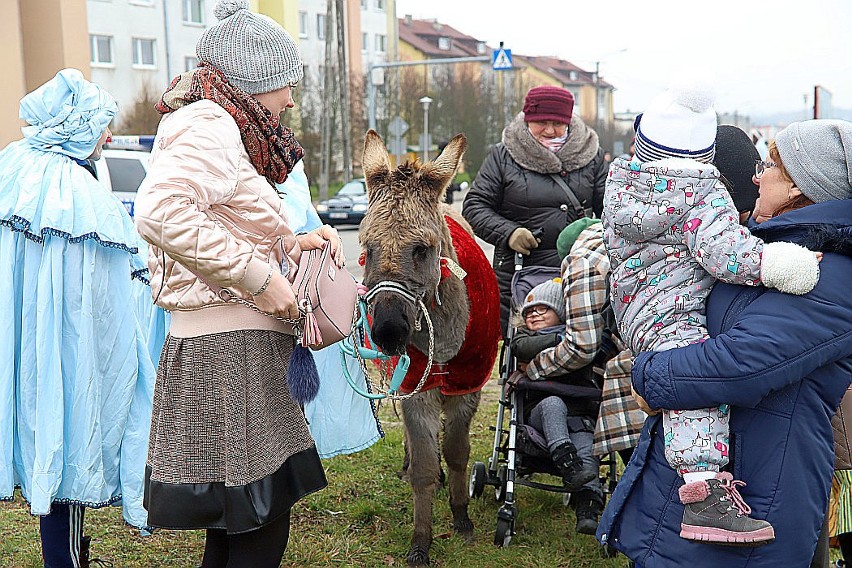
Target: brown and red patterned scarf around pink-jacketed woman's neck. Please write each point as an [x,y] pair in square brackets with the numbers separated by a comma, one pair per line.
[273,148]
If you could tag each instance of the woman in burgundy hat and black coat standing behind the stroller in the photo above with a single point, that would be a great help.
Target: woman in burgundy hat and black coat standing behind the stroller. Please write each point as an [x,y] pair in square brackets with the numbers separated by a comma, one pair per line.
[548,171]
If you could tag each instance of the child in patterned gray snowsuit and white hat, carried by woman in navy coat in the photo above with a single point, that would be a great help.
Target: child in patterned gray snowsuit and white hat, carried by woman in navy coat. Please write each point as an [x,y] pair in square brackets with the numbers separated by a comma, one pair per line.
[671,231]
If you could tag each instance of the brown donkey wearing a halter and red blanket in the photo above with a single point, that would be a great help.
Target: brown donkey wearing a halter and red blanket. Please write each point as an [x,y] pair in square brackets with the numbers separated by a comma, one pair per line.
[411,239]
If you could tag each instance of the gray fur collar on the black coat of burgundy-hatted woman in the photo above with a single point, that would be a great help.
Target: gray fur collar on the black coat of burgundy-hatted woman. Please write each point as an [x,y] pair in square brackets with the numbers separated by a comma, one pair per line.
[580,148]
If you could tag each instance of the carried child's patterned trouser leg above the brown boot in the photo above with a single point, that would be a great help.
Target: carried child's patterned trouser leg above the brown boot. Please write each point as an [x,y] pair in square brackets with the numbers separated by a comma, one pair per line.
[697,441]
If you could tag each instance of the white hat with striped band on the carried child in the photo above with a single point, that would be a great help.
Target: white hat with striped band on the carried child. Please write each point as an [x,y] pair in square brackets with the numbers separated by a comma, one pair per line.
[679,123]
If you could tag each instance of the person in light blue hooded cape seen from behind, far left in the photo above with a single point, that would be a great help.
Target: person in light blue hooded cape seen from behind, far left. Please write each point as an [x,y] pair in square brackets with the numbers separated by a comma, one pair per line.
[76,379]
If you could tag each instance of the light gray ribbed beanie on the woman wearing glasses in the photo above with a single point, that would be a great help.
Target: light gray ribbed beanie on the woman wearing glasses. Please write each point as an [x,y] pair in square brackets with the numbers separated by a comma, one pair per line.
[818,156]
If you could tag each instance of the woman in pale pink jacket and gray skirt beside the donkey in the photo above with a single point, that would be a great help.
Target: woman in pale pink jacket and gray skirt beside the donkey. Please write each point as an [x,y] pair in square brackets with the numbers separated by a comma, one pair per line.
[230,451]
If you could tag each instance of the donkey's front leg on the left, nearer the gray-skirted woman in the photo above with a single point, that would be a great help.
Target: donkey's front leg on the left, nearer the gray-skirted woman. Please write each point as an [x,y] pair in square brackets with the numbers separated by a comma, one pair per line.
[421,415]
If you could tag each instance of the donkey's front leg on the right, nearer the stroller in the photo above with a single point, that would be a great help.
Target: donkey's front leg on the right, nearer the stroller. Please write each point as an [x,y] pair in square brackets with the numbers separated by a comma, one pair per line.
[458,412]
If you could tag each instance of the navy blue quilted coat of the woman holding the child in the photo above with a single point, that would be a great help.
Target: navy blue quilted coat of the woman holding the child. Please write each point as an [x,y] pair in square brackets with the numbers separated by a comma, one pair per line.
[783,363]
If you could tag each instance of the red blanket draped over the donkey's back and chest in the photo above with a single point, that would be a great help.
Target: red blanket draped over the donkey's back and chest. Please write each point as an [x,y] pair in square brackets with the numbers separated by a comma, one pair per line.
[471,368]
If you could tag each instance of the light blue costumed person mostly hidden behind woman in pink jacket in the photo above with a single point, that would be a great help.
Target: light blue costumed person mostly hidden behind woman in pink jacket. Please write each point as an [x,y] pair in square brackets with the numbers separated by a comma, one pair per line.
[341,421]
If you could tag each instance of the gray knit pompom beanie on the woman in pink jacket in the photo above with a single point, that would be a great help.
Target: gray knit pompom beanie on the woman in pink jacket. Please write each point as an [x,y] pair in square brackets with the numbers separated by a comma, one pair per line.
[253,51]
